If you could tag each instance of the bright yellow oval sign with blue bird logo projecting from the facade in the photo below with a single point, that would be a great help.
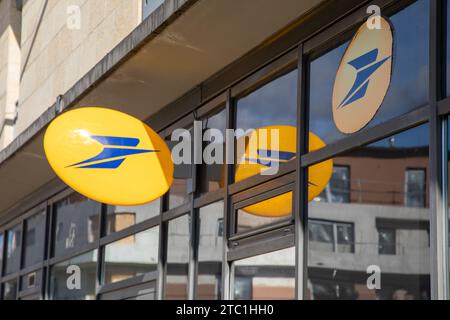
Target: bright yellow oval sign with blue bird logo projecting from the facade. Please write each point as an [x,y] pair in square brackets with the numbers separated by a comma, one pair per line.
[109,156]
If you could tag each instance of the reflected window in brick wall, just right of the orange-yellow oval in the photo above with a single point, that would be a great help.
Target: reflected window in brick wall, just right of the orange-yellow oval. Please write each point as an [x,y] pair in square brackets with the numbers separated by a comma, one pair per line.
[338,190]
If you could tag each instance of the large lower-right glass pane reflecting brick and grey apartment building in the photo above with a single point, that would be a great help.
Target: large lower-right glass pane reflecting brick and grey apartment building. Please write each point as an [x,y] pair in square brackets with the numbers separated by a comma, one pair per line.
[376,228]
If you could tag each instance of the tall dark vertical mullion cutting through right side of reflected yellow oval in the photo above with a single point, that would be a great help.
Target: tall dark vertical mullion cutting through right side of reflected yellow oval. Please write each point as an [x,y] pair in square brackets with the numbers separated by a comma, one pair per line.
[300,188]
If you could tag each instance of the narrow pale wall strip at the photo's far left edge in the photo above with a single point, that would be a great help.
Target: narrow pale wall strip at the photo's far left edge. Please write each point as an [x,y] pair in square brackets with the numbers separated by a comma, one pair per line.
[9,67]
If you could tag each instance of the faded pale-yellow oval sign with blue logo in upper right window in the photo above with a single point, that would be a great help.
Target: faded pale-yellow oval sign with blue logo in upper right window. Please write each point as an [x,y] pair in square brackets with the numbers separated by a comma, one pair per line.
[363,77]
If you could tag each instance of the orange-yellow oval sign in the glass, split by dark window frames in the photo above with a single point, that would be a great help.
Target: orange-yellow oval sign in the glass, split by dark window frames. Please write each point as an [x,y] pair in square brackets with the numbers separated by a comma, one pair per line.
[256,160]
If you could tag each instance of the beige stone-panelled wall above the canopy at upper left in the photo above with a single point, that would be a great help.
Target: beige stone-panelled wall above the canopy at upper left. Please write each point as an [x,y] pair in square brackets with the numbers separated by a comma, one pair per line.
[55,56]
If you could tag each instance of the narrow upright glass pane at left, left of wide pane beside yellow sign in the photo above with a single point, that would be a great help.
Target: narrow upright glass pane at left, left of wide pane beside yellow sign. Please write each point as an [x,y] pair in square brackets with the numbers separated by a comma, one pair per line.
[34,239]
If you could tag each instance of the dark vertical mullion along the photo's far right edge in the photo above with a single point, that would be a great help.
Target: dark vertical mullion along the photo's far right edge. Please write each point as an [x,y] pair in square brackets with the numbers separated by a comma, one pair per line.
[438,276]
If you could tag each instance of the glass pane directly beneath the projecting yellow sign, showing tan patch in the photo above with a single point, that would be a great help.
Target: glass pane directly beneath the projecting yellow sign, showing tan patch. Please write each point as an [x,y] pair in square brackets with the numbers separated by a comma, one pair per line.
[123,217]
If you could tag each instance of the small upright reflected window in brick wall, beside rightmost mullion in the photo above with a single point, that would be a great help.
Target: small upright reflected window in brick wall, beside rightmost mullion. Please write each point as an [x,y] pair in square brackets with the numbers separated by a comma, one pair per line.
[415,188]
